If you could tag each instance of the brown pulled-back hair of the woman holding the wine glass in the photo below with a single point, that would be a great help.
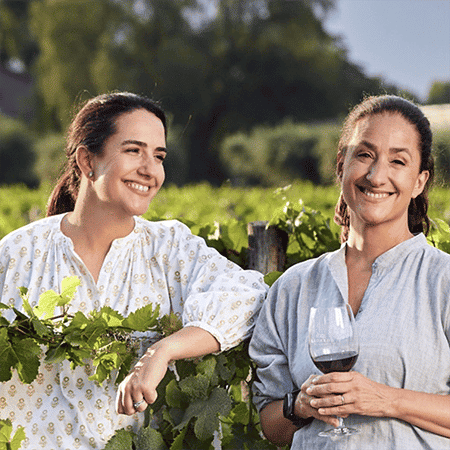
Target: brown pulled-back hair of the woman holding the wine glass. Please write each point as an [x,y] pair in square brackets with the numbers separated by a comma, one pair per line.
[418,220]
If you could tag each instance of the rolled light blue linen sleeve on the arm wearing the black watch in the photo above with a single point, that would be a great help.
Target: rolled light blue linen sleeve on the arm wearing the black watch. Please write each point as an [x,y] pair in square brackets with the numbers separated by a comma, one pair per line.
[268,348]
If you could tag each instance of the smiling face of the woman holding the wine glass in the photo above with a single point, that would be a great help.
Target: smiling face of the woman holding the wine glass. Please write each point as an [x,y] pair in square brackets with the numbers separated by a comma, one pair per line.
[380,171]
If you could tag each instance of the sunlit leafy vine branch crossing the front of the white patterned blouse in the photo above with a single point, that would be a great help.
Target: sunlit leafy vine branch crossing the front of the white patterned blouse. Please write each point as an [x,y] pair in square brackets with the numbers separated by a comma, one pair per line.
[103,335]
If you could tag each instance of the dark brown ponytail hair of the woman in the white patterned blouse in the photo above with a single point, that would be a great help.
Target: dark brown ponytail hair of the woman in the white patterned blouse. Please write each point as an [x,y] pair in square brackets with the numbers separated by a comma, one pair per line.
[94,123]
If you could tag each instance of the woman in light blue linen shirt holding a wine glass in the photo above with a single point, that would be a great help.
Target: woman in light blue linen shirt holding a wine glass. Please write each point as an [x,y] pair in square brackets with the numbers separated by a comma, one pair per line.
[397,286]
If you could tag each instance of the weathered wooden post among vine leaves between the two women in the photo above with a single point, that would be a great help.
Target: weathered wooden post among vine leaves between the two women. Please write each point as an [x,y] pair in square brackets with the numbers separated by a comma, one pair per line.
[266,247]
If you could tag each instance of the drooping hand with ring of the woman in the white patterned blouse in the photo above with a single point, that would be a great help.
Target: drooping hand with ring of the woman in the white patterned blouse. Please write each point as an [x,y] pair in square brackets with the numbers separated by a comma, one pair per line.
[138,389]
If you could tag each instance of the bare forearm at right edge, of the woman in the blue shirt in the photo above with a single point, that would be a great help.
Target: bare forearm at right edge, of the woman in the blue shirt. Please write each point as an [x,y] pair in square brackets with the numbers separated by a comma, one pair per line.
[430,412]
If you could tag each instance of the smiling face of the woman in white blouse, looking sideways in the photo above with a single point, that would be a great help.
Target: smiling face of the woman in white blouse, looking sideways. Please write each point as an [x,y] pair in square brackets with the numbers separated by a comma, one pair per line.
[129,172]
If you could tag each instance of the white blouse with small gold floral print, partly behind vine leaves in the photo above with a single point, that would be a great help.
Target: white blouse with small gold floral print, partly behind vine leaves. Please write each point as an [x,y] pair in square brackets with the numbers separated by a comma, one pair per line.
[159,262]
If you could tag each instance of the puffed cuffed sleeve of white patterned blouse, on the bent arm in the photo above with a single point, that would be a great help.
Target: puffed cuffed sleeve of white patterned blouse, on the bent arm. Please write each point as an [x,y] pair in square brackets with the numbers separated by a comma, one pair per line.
[215,293]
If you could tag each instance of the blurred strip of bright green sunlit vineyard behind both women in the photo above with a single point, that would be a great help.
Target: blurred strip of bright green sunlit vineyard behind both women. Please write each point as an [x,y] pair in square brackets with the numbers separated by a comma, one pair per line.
[226,204]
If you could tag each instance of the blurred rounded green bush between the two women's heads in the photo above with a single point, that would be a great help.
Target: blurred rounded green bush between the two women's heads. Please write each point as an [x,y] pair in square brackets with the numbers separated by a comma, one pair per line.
[288,151]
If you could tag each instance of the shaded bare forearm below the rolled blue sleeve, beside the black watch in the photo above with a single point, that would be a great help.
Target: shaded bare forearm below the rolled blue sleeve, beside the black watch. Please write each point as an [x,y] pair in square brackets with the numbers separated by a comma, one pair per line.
[275,427]
